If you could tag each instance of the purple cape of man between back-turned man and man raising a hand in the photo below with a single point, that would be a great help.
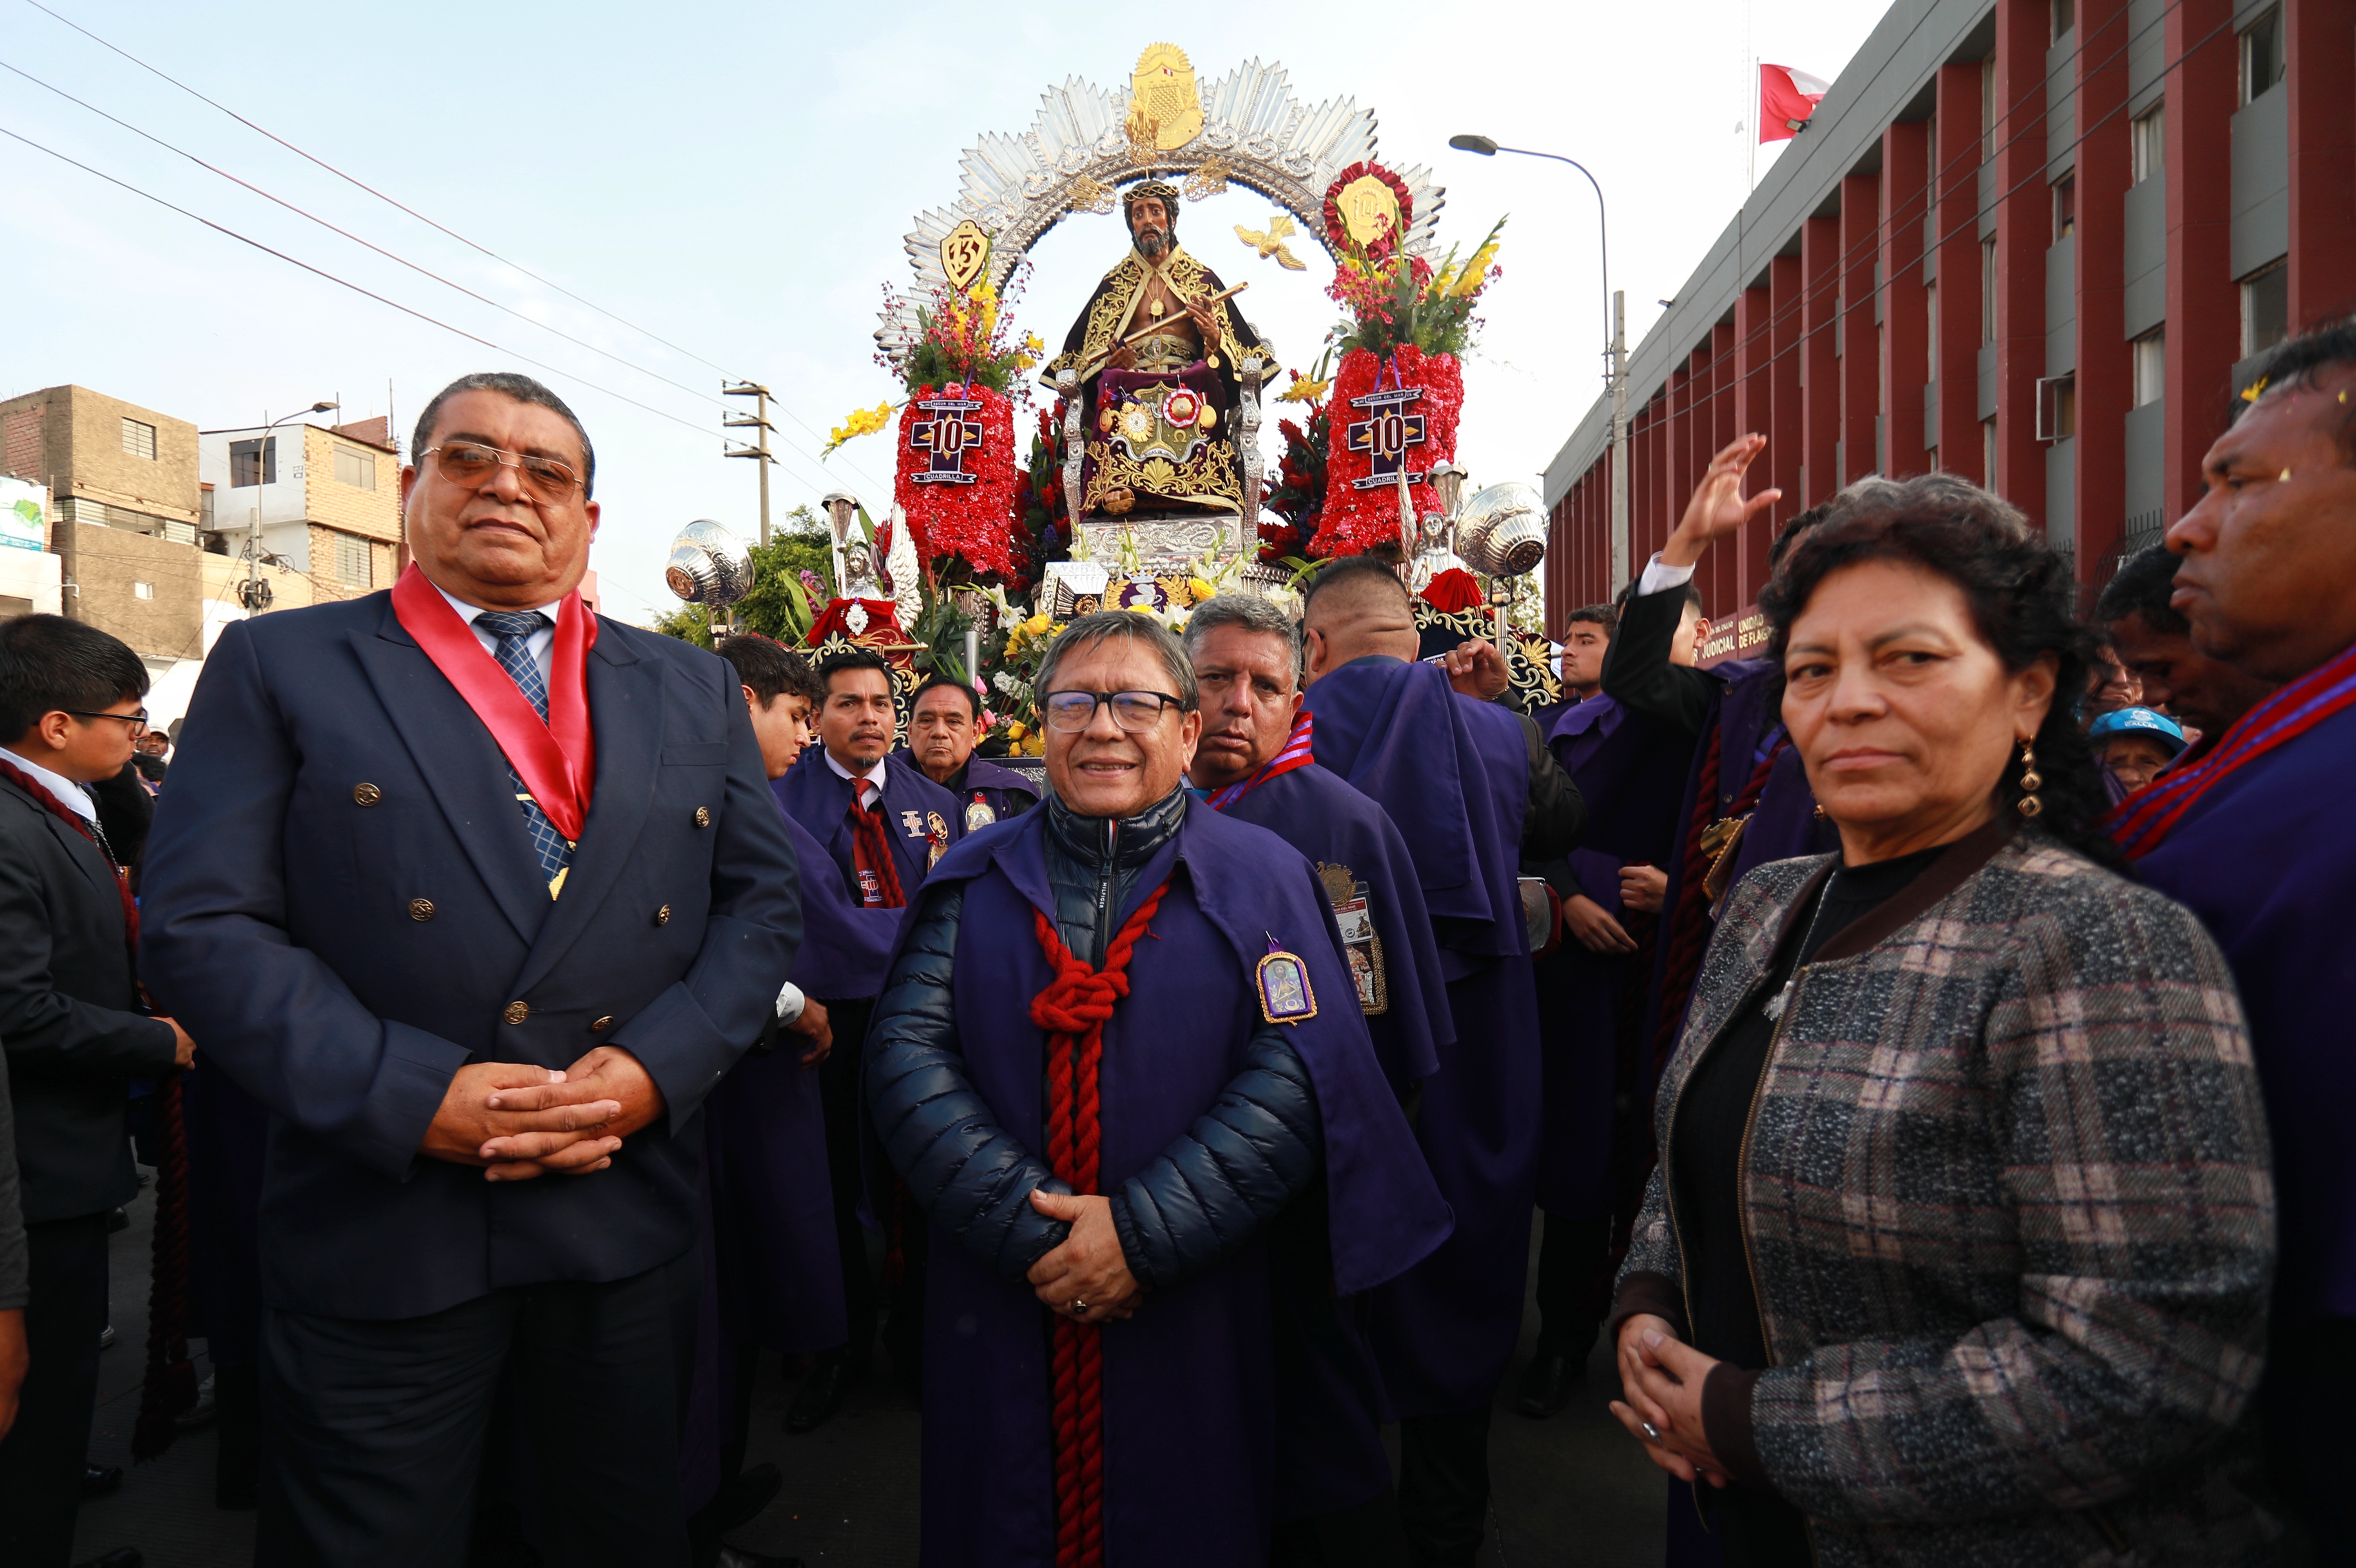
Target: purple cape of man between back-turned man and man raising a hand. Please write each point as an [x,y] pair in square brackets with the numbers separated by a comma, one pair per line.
[1629,771]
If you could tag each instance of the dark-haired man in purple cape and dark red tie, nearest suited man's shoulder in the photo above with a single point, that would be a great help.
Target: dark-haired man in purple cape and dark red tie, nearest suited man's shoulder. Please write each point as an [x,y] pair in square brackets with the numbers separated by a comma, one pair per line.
[885,825]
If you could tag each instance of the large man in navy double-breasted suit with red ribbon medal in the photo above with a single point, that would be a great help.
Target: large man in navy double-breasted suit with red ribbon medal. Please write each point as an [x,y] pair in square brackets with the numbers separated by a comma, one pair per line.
[479,896]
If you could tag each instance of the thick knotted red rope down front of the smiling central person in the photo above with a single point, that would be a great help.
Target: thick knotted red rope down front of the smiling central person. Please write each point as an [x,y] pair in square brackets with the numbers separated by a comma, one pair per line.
[1073,1011]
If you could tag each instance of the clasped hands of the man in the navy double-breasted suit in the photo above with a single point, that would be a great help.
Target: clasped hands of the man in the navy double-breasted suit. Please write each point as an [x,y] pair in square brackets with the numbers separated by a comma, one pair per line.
[522,1122]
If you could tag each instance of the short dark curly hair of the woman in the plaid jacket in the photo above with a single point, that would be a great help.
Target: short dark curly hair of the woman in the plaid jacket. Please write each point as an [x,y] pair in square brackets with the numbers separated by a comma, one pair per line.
[2023,602]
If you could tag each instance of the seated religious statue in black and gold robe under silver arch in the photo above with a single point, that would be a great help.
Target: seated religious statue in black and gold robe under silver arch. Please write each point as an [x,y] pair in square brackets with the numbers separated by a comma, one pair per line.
[1158,411]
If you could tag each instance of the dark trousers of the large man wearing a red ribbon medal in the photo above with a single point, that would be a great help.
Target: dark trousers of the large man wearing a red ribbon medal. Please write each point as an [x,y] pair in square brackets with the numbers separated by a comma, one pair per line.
[376,1430]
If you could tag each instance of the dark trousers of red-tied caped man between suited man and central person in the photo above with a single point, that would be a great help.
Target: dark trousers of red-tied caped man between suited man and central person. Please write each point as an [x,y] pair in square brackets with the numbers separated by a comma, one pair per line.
[894,1298]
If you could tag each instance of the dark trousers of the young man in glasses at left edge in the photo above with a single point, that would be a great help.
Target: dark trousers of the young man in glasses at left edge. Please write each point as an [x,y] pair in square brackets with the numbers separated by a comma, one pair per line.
[41,1461]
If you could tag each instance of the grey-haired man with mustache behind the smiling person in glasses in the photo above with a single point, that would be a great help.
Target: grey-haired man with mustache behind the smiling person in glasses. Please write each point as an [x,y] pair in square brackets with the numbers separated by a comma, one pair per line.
[1255,764]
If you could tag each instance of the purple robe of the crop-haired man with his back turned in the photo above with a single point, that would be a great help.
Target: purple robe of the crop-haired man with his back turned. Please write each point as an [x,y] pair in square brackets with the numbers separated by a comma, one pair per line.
[1455,778]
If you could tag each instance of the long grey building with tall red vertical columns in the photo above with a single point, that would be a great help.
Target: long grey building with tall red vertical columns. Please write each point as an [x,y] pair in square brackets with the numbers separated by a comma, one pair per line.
[2034,244]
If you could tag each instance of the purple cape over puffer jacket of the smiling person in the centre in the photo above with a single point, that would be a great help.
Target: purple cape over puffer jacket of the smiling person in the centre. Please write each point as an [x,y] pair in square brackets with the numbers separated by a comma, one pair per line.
[1189,1407]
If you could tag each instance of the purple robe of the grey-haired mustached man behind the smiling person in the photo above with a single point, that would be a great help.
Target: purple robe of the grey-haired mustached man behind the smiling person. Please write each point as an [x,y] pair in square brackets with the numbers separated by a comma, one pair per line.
[1330,1404]
